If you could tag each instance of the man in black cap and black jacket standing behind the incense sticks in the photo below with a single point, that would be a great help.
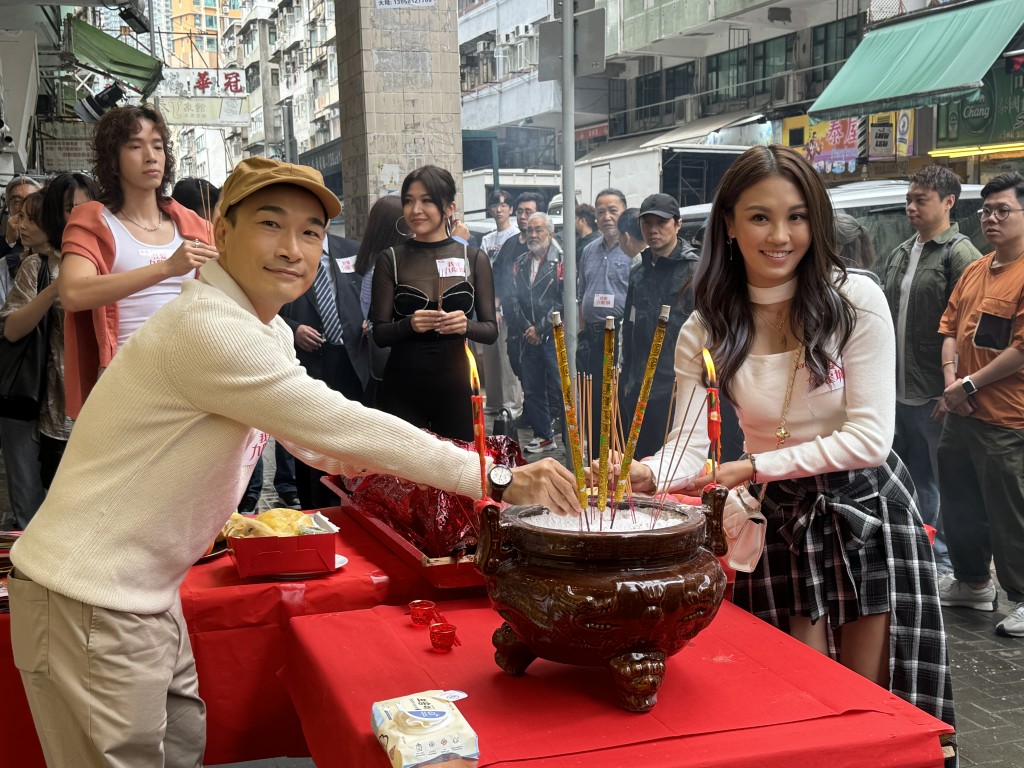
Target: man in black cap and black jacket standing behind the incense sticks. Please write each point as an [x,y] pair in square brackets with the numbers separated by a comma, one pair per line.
[663,277]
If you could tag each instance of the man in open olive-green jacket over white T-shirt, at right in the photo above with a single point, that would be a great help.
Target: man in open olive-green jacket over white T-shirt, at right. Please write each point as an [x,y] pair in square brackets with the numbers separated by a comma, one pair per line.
[918,278]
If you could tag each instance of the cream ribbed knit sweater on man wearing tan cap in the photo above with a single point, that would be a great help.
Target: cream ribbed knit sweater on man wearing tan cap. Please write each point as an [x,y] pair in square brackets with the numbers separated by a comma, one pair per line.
[157,461]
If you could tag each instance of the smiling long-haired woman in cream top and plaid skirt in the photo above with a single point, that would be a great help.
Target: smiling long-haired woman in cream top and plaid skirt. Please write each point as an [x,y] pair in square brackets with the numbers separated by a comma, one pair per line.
[806,354]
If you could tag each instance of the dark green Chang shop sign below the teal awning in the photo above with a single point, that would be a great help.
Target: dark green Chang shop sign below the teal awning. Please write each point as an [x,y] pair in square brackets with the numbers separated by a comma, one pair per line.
[995,116]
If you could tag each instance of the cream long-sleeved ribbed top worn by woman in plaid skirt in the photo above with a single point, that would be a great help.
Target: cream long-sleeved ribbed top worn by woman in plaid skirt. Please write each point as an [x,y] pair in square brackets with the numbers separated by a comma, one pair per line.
[847,423]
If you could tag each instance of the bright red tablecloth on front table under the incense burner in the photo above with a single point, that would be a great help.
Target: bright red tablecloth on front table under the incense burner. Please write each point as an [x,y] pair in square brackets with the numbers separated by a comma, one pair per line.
[741,695]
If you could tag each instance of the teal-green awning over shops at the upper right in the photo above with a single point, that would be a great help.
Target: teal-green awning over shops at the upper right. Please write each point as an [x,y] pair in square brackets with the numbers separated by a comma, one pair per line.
[934,58]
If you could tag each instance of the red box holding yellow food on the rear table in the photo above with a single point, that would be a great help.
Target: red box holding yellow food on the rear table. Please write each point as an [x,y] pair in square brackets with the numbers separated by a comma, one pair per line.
[288,557]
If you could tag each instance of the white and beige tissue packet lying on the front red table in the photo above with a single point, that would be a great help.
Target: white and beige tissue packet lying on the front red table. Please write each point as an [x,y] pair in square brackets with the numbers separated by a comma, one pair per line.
[423,730]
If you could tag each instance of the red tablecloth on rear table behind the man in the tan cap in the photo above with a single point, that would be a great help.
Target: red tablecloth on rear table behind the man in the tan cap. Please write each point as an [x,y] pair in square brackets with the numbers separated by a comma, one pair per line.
[237,627]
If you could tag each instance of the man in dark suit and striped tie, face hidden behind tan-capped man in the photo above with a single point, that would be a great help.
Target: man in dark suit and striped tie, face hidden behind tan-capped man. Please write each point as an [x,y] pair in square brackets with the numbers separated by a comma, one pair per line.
[328,326]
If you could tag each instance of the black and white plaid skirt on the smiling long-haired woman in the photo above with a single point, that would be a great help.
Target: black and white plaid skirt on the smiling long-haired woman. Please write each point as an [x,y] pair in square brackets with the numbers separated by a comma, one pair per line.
[845,545]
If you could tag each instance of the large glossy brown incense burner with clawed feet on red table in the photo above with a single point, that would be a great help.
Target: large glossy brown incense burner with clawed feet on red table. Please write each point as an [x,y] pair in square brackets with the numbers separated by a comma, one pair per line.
[624,598]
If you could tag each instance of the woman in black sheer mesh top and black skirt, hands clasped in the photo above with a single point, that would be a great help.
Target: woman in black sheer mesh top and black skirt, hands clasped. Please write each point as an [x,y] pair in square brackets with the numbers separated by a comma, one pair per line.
[431,294]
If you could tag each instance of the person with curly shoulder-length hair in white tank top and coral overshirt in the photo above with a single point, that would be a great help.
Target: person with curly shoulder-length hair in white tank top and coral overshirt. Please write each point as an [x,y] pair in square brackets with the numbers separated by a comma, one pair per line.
[125,255]
